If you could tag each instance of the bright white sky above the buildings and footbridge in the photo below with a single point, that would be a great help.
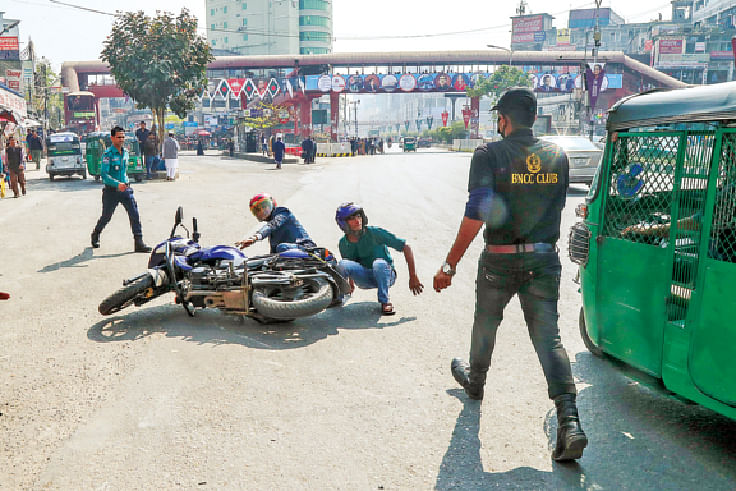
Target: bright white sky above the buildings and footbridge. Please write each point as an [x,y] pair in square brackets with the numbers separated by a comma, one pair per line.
[64,33]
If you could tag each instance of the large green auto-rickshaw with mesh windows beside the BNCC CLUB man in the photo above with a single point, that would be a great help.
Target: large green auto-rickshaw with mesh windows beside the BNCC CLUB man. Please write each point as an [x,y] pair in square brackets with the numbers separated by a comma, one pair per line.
[657,246]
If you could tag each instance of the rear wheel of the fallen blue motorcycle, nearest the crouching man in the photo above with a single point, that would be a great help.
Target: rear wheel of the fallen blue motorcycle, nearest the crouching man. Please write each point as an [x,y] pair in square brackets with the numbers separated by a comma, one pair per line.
[317,299]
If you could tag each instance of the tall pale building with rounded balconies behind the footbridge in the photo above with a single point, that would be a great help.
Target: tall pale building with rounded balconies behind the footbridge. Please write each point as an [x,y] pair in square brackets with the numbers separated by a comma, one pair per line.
[269,27]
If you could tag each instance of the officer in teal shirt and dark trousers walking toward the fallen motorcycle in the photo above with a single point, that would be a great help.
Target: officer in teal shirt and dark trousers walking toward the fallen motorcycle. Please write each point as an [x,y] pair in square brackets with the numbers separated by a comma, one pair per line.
[117,190]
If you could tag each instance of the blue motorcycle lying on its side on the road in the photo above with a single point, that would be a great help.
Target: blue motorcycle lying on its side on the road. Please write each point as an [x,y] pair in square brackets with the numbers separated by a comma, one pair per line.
[274,287]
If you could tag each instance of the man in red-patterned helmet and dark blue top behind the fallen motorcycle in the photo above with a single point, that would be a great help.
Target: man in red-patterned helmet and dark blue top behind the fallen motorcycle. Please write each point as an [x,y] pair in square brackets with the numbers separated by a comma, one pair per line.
[283,230]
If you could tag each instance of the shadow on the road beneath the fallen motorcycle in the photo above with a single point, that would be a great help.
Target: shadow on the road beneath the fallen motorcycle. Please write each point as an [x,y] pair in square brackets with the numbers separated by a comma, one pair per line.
[213,327]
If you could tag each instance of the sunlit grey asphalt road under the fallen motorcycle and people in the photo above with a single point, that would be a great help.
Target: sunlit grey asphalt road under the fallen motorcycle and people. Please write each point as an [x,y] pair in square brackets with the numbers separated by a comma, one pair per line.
[152,399]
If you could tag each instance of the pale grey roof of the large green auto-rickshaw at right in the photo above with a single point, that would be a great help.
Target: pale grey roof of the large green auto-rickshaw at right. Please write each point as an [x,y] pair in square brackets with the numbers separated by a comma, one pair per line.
[701,103]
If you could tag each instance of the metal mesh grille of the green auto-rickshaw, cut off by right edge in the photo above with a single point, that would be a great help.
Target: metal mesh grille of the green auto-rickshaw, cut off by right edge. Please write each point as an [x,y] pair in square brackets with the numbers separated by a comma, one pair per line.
[722,246]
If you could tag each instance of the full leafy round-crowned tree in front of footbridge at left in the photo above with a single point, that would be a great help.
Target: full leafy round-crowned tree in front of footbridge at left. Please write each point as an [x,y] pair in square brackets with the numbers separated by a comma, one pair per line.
[158,61]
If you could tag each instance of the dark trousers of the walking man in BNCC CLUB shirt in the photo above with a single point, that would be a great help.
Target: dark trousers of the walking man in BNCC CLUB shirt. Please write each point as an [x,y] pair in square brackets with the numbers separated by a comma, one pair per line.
[535,278]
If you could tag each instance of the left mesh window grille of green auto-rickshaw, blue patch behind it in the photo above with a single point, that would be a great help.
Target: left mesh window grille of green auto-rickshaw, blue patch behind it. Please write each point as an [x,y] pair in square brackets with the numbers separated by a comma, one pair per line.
[640,187]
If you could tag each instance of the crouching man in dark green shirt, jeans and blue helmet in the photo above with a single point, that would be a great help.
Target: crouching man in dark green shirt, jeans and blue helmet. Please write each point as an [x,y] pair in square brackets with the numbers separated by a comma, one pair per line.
[366,261]
